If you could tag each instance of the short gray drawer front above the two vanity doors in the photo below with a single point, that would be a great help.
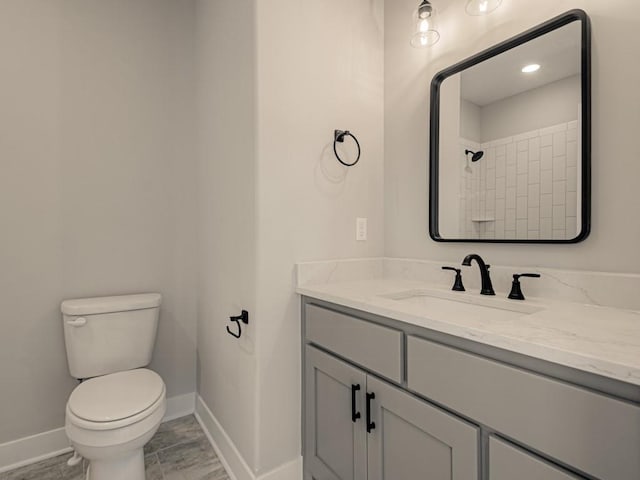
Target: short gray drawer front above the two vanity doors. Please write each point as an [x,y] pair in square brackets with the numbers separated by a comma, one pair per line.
[375,347]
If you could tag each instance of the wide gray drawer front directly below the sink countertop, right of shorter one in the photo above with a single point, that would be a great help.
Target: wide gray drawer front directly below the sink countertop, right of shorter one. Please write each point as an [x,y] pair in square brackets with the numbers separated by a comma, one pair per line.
[589,431]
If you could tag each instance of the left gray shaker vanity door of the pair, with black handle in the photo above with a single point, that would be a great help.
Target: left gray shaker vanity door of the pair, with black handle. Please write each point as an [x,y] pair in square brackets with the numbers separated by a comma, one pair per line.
[335,445]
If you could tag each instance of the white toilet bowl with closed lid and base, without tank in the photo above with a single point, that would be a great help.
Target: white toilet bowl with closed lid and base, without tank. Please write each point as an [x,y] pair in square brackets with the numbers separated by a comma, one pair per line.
[110,418]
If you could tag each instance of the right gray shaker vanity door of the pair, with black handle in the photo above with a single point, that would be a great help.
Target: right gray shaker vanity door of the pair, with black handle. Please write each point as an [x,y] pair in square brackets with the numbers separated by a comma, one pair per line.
[414,440]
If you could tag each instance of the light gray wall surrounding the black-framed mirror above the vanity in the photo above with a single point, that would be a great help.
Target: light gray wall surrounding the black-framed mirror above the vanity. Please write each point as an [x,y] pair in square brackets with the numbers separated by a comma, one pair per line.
[612,245]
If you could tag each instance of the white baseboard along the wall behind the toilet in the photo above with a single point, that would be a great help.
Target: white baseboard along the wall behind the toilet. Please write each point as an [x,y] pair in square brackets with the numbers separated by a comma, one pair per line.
[41,446]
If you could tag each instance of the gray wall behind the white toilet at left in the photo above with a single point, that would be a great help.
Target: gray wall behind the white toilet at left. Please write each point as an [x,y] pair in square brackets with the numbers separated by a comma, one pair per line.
[96,135]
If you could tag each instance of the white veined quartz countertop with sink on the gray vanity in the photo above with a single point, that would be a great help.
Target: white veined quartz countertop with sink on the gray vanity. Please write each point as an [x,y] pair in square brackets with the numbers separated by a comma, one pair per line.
[595,339]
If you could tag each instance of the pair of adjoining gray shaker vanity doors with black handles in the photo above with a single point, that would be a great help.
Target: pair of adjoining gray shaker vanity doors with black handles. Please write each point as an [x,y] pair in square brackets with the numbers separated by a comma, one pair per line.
[410,437]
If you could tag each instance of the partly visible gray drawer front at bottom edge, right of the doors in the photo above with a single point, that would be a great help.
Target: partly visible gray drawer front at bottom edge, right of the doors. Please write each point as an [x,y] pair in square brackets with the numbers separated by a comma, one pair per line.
[507,461]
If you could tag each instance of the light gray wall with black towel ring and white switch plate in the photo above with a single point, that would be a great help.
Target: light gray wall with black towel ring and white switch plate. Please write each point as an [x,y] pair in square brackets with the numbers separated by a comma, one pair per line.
[320,67]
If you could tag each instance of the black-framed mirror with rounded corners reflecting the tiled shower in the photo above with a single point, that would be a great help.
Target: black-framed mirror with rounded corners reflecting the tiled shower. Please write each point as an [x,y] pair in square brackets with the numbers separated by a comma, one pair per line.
[510,140]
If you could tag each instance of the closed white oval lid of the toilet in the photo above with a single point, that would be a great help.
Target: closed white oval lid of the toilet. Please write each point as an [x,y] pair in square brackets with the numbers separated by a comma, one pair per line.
[116,396]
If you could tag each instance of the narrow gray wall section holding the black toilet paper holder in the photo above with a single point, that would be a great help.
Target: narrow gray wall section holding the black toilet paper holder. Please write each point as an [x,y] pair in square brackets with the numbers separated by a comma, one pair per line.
[226,57]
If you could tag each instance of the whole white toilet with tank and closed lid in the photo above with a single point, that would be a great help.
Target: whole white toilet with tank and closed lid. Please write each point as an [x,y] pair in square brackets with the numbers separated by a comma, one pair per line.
[119,404]
